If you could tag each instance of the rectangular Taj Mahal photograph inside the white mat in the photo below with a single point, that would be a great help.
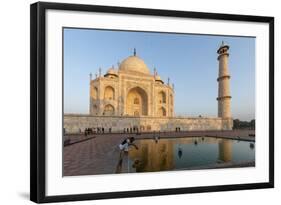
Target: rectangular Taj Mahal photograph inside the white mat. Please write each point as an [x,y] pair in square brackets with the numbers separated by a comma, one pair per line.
[142,101]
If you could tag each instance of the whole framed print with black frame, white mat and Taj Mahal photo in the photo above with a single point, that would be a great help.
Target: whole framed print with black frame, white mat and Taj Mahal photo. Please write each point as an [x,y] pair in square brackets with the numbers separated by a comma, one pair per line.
[129,102]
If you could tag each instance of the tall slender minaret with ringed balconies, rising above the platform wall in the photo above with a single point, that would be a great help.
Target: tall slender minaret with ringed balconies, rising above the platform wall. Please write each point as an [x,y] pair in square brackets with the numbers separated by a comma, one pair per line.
[224,98]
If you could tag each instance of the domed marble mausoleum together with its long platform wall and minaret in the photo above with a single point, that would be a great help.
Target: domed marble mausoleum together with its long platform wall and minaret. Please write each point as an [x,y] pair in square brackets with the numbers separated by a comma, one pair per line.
[130,98]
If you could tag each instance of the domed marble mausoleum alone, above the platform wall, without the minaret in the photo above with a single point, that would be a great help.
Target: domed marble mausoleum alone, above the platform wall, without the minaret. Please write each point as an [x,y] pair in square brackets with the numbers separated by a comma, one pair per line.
[131,91]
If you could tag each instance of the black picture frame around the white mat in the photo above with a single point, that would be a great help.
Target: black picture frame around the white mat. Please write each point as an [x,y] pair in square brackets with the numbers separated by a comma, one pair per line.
[38,101]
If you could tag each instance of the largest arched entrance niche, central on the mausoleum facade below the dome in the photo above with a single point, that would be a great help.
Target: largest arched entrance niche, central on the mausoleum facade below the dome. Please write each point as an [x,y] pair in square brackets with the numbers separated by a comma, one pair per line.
[137,102]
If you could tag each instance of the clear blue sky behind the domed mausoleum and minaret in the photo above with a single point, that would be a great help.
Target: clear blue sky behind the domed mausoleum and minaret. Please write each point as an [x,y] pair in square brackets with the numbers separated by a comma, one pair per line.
[189,60]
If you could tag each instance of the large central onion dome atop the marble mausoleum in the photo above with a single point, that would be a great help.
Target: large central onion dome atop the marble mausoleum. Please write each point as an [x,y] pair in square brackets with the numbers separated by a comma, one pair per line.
[134,63]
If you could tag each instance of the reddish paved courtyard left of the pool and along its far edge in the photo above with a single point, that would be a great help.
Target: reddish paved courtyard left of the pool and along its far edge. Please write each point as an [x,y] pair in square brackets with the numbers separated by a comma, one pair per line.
[99,154]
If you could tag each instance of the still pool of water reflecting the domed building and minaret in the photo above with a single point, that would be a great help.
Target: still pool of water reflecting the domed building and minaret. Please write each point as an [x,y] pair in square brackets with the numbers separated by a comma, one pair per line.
[188,153]
